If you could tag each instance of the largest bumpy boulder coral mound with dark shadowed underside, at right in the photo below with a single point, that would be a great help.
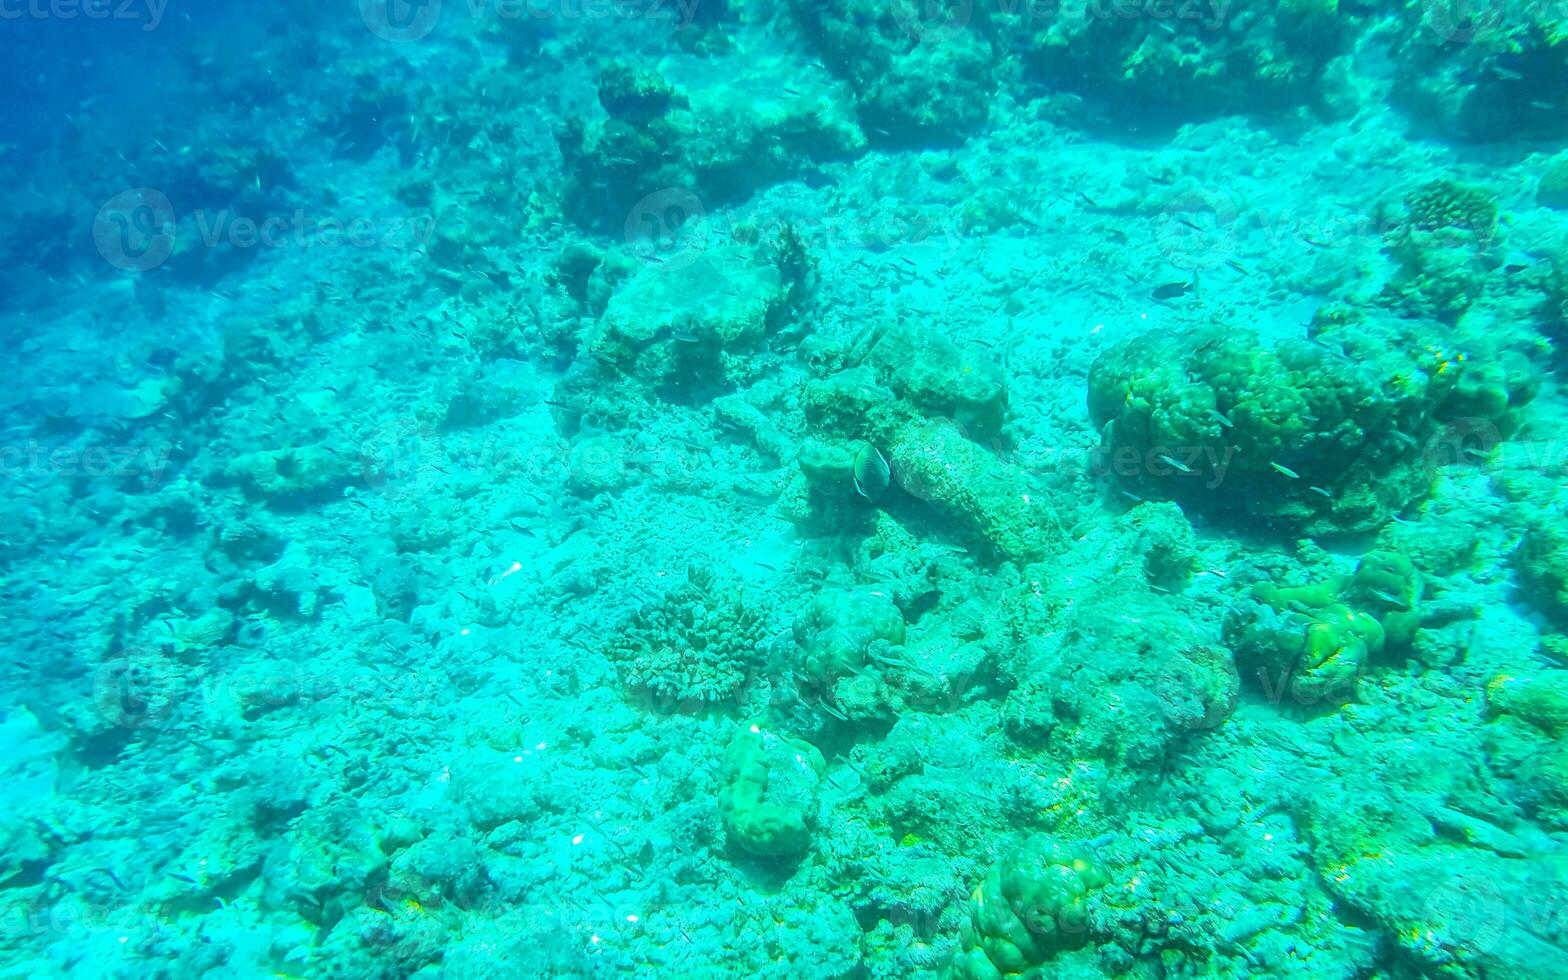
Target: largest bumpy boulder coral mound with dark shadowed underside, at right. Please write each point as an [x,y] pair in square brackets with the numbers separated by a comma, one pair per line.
[1326,435]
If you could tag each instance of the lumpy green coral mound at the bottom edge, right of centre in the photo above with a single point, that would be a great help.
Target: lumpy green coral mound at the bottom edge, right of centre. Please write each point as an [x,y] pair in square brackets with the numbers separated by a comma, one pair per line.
[1034,906]
